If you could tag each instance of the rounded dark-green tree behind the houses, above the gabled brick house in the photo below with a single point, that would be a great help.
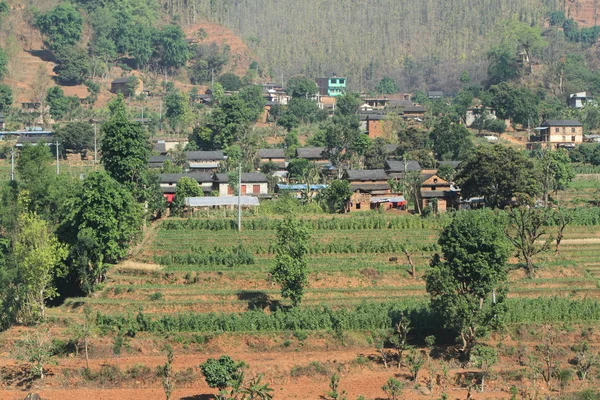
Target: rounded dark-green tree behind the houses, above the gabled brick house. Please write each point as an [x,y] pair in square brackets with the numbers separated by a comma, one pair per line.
[451,141]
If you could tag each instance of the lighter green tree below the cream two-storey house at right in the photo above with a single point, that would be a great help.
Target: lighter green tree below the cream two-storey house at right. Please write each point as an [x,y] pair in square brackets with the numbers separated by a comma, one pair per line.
[555,171]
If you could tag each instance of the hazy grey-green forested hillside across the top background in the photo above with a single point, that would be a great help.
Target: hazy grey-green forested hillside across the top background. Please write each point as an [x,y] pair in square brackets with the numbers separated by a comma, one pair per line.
[419,43]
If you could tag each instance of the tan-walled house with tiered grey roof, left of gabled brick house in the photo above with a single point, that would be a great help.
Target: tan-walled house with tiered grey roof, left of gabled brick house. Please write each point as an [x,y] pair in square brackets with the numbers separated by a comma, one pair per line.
[366,186]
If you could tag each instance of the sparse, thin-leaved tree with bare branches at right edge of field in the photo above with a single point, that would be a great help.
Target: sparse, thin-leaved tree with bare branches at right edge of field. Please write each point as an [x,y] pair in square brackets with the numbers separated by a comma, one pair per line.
[525,231]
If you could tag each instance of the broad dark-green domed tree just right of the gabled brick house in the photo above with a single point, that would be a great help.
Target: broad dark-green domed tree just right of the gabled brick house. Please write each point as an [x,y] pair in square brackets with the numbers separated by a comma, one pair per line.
[497,173]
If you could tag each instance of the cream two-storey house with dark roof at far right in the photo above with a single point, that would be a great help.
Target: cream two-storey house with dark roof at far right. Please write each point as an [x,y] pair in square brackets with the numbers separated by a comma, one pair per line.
[558,133]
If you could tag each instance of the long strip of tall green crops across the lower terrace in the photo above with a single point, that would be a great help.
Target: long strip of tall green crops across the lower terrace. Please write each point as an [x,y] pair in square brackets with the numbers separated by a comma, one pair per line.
[365,316]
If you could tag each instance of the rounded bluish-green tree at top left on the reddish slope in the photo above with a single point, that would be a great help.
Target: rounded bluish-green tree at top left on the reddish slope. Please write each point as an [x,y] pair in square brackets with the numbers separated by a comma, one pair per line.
[62,26]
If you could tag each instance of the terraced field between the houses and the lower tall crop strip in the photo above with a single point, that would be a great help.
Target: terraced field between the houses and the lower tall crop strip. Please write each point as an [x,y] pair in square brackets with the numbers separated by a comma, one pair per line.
[347,267]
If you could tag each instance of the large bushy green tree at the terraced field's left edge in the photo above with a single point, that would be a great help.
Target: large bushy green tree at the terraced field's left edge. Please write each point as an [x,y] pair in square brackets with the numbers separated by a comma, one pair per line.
[103,221]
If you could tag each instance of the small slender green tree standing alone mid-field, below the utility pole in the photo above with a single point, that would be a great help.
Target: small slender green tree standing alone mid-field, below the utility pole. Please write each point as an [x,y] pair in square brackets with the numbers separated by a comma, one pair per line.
[291,266]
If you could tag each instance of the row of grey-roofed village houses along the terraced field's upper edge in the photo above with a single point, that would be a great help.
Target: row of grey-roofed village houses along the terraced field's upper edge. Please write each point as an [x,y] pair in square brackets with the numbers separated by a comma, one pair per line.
[371,188]
